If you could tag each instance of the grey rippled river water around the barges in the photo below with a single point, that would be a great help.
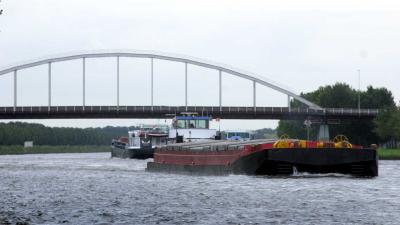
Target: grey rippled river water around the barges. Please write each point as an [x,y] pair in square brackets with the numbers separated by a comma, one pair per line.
[95,189]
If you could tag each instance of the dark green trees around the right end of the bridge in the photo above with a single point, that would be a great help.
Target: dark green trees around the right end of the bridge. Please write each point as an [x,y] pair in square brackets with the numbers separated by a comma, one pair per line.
[340,95]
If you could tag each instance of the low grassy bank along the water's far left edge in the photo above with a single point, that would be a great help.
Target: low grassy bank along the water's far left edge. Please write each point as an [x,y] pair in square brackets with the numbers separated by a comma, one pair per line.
[16,149]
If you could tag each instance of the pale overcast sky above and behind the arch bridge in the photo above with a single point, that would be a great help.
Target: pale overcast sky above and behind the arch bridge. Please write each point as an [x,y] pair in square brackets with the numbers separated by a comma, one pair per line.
[300,44]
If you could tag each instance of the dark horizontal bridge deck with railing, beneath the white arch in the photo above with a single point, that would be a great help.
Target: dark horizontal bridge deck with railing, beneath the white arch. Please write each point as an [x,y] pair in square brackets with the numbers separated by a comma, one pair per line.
[154,112]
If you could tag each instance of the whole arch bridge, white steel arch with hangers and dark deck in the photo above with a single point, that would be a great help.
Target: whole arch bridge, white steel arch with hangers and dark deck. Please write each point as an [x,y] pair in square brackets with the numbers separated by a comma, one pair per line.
[153,111]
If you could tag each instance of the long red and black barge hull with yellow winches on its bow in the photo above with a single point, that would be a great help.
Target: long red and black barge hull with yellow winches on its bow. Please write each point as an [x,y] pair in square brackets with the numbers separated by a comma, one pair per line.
[266,157]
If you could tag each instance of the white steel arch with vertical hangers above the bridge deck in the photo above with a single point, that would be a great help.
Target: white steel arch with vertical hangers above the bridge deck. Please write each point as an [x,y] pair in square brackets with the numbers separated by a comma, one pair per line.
[151,55]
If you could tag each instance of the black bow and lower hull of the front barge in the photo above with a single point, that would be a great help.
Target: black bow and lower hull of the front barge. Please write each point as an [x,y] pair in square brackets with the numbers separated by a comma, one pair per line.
[356,162]
